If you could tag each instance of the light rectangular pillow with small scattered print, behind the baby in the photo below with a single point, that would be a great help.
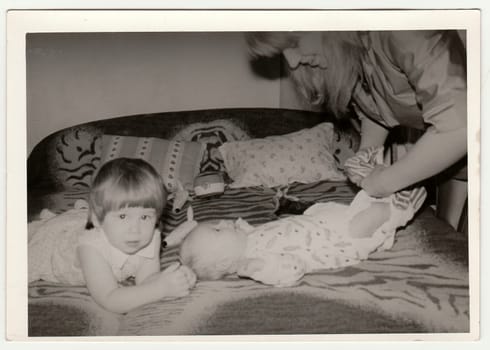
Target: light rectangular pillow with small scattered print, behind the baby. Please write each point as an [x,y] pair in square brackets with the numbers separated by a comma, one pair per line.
[304,156]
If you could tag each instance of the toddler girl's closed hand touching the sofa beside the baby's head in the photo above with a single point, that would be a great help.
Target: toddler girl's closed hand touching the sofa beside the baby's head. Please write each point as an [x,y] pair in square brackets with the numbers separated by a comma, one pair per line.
[176,280]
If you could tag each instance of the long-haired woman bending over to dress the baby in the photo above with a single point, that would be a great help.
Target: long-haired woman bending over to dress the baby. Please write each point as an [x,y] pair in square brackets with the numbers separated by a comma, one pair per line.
[411,78]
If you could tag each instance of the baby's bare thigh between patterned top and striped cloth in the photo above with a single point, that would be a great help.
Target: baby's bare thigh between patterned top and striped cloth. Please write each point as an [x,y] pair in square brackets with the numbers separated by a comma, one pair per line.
[367,221]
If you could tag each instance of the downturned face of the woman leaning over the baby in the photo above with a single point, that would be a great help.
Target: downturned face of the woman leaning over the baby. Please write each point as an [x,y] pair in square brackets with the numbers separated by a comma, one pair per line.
[309,51]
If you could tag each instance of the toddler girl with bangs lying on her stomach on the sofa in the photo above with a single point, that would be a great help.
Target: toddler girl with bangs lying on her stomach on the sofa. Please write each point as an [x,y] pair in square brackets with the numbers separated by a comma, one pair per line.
[126,200]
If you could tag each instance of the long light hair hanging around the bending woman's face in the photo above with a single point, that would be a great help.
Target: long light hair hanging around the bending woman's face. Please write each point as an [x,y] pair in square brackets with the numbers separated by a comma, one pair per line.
[331,87]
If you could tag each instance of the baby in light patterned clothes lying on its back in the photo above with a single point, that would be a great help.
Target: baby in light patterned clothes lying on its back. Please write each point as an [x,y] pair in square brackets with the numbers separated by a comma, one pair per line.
[279,253]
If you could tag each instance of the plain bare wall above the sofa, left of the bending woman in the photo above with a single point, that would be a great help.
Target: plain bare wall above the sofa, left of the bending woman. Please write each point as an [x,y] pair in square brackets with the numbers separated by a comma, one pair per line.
[81,77]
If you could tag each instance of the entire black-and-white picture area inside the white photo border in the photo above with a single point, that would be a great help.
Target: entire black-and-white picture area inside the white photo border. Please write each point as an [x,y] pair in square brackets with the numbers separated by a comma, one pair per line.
[248,182]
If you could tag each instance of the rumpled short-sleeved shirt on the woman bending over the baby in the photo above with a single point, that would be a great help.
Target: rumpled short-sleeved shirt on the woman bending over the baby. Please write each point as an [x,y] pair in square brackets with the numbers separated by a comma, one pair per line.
[435,65]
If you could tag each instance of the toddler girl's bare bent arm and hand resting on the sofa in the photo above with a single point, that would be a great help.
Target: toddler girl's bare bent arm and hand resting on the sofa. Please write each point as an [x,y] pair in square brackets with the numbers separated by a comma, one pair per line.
[102,285]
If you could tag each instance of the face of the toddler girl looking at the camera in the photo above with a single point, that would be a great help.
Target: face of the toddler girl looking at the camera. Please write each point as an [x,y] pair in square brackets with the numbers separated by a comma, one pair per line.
[130,229]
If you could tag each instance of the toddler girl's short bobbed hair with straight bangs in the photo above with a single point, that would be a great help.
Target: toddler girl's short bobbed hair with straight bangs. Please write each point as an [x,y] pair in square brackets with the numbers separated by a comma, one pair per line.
[126,182]
